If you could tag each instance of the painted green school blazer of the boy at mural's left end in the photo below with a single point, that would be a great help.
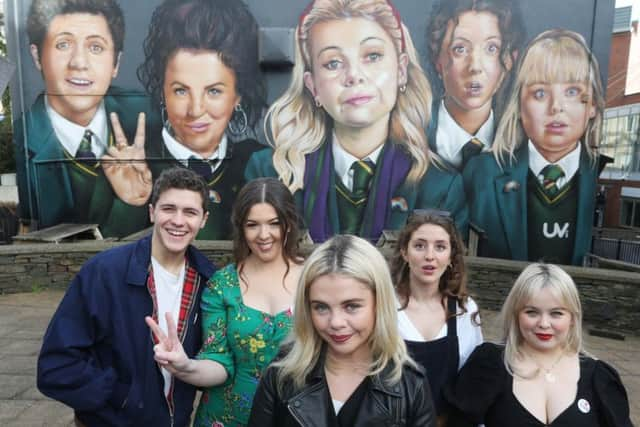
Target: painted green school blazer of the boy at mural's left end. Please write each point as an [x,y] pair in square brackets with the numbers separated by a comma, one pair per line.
[54,187]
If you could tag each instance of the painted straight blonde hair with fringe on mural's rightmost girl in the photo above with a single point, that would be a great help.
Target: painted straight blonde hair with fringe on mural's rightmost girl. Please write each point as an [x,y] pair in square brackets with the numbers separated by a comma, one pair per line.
[553,56]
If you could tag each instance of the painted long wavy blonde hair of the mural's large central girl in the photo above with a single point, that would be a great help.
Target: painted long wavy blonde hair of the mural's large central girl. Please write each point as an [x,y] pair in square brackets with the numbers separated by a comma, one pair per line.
[295,127]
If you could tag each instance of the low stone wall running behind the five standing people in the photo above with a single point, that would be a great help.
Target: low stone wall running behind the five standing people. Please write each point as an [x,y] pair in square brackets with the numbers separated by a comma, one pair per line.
[611,299]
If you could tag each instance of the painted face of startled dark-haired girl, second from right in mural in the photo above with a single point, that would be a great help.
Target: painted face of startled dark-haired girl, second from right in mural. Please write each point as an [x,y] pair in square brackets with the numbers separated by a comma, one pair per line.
[469,62]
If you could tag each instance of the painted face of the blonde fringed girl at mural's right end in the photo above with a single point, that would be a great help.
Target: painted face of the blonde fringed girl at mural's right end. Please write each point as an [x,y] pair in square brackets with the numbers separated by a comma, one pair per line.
[555,116]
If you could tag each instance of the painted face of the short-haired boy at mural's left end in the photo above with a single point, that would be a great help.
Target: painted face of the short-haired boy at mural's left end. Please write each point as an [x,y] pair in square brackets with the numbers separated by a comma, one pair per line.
[78,62]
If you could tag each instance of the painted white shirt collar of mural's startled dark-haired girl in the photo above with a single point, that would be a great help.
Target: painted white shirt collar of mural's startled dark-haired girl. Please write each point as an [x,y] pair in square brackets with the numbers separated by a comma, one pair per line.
[447,138]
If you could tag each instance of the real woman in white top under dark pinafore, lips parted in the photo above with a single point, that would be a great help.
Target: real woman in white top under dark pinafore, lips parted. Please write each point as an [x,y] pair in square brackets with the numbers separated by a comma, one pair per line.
[437,319]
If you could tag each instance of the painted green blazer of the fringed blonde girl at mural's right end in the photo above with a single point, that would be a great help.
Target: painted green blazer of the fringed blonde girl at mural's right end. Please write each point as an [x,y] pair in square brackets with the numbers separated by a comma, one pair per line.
[499,199]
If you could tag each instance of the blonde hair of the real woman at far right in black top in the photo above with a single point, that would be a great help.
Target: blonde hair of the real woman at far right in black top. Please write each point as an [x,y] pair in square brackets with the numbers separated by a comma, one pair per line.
[531,281]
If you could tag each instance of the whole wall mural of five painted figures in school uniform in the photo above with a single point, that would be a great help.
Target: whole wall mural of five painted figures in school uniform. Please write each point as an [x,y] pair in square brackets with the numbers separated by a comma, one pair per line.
[471,112]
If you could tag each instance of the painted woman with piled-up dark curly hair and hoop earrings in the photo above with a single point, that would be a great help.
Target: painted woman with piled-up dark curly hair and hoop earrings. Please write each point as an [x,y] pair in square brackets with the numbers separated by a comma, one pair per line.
[201,67]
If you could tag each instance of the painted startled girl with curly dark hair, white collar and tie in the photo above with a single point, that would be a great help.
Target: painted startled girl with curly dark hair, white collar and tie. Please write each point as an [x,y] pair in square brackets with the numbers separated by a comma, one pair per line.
[472,44]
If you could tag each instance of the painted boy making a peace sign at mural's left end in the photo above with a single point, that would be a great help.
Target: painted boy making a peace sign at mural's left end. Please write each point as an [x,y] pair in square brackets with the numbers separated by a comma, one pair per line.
[63,138]
